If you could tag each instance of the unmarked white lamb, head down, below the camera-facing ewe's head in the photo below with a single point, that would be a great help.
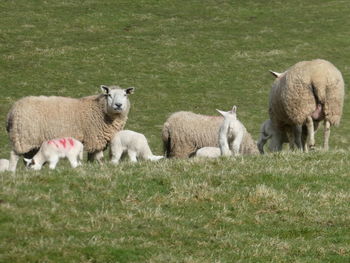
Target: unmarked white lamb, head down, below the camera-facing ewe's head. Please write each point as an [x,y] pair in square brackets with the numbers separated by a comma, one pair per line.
[134,144]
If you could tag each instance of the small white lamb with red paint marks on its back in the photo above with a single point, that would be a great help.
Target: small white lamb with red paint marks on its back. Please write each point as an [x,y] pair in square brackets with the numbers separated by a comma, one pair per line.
[52,150]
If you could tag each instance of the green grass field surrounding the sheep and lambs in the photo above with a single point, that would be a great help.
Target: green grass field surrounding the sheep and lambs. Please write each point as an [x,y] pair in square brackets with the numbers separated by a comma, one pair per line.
[180,55]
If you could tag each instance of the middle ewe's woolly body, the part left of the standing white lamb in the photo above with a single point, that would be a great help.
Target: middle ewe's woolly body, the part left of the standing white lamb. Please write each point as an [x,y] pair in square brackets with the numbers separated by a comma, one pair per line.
[185,132]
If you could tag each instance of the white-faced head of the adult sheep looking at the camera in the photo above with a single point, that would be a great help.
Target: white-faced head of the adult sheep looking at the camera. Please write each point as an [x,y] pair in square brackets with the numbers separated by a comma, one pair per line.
[117,99]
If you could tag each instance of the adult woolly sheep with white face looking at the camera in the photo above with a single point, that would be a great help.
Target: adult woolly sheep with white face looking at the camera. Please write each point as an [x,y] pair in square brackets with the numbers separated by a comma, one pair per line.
[93,120]
